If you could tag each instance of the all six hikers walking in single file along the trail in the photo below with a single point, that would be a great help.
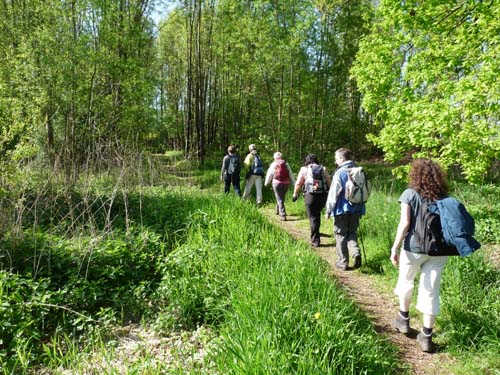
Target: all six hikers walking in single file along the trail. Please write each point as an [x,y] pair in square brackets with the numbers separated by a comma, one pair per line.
[427,183]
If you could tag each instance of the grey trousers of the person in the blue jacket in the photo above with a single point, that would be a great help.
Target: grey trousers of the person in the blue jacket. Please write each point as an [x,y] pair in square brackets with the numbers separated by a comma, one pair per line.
[345,227]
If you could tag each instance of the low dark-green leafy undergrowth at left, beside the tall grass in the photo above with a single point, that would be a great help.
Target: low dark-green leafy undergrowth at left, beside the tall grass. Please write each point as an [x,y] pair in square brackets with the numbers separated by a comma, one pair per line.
[56,285]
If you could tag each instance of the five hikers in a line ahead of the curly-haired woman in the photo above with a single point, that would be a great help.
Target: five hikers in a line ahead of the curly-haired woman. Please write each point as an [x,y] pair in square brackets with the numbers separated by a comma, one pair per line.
[318,188]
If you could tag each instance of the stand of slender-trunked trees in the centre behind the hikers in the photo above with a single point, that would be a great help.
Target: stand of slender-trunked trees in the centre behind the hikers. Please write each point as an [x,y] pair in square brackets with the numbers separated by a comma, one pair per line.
[278,74]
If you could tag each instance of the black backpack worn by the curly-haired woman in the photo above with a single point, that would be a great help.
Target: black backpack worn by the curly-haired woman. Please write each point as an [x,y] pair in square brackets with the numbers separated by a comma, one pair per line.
[429,234]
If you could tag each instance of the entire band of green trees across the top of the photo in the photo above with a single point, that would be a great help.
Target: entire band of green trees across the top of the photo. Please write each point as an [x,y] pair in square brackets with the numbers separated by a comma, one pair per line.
[83,80]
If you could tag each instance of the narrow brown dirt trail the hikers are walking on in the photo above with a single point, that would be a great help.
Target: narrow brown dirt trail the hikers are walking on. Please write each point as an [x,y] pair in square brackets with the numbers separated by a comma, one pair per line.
[380,306]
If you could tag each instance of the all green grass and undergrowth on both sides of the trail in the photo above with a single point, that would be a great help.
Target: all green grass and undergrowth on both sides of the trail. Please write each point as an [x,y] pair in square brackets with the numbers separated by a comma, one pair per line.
[233,293]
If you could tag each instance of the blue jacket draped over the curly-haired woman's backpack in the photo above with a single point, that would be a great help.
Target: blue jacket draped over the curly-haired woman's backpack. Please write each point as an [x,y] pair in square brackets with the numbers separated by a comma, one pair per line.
[457,225]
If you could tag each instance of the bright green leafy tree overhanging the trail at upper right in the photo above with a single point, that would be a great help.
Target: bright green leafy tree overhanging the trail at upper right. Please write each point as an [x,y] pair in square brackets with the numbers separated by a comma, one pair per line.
[428,74]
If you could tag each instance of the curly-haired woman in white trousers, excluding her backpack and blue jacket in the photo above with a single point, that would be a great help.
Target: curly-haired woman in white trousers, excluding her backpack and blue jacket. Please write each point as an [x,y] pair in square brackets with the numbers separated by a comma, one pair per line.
[427,181]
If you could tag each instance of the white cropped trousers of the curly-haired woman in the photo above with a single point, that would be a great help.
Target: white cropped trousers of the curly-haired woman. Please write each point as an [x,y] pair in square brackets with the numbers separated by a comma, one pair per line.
[430,268]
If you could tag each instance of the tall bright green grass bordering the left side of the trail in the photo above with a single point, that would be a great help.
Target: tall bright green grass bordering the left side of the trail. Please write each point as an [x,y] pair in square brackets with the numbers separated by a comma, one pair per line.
[277,309]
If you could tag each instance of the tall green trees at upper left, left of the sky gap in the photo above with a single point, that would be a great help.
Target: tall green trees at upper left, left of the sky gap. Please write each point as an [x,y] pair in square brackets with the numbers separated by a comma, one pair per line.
[77,81]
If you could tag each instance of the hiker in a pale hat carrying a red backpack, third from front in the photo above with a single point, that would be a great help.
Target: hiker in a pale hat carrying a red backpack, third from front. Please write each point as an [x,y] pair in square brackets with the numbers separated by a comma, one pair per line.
[281,176]
